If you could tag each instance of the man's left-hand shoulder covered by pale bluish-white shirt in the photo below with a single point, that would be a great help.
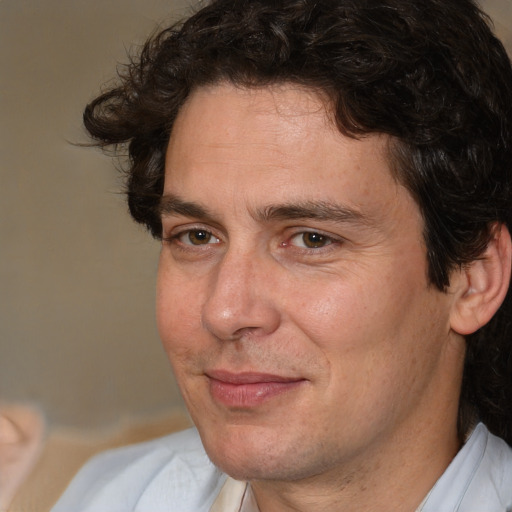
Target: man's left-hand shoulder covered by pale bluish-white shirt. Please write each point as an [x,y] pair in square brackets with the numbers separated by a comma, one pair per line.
[172,473]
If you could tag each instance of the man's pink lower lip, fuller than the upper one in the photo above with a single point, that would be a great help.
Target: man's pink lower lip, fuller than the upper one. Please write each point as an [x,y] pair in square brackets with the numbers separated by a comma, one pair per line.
[249,395]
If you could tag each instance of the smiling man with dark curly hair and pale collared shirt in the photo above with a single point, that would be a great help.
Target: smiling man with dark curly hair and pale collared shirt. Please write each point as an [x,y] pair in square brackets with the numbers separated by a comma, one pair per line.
[331,182]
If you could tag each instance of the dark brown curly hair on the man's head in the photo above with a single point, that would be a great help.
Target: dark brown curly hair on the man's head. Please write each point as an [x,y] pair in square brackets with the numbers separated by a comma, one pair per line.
[429,73]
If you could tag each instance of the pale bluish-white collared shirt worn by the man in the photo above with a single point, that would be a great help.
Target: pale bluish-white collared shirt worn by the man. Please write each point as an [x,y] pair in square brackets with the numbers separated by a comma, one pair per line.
[173,474]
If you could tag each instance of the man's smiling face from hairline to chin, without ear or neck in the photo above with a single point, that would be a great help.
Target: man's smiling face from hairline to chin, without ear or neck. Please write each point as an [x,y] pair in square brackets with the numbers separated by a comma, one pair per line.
[293,301]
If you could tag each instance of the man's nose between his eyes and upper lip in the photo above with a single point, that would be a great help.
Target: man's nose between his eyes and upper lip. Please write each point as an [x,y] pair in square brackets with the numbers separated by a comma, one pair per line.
[240,299]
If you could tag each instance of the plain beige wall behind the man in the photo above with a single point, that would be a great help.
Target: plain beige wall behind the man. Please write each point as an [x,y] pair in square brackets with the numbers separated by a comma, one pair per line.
[77,331]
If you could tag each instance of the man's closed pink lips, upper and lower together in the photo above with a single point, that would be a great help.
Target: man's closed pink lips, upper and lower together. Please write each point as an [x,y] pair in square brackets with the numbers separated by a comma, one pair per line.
[247,390]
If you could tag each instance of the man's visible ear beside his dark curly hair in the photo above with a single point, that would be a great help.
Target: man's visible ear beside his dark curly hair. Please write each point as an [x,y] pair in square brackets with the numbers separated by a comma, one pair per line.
[481,286]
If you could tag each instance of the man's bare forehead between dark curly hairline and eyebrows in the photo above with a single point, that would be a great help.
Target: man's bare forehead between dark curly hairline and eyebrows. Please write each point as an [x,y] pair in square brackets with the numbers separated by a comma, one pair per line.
[266,143]
